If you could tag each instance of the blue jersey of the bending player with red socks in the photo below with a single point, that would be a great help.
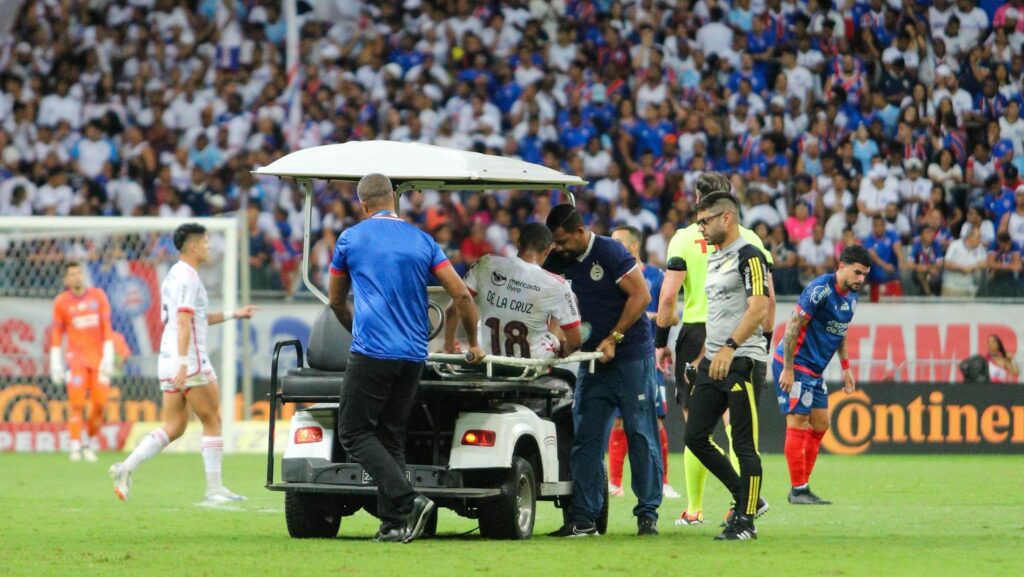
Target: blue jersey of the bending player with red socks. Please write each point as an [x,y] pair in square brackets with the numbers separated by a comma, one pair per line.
[831,312]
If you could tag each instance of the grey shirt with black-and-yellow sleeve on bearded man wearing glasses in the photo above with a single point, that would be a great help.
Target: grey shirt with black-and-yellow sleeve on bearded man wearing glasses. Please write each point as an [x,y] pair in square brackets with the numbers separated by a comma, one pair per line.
[735,273]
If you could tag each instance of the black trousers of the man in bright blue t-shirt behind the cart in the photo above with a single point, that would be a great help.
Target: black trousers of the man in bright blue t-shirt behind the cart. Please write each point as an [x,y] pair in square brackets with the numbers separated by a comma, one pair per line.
[376,401]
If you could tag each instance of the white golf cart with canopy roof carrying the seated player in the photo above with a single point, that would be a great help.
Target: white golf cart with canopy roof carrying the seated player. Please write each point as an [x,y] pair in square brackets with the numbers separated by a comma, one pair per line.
[486,441]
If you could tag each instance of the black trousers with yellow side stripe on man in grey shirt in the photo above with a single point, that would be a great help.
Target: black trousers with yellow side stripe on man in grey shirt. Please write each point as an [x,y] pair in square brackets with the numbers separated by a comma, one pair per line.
[711,398]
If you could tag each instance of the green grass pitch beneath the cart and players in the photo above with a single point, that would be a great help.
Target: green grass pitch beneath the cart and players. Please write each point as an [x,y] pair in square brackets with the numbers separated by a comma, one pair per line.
[893,516]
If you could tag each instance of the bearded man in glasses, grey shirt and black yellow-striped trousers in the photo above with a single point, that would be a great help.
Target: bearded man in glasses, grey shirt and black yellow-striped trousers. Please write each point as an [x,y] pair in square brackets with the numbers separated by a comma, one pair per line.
[738,303]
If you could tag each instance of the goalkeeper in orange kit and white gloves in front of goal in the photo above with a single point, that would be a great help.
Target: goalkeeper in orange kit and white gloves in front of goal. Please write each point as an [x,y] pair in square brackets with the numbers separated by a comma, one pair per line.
[84,315]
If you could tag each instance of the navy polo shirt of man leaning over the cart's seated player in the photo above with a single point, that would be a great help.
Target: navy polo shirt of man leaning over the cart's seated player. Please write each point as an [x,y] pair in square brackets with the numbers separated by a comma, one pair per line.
[595,277]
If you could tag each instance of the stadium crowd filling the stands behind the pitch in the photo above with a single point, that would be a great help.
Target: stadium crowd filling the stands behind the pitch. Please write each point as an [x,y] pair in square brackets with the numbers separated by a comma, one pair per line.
[894,125]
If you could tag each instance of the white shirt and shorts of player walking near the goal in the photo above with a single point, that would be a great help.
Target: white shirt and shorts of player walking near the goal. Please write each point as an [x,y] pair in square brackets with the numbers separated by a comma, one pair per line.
[183,292]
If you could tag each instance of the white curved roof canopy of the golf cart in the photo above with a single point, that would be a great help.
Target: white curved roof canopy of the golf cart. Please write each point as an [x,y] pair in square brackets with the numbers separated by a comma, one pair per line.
[404,162]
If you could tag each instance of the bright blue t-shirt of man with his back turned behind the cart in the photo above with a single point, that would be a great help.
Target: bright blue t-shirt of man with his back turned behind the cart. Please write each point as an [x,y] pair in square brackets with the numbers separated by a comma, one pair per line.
[390,262]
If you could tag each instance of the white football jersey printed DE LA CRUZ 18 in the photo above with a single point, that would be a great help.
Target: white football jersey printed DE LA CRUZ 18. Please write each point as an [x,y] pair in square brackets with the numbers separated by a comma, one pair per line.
[517,299]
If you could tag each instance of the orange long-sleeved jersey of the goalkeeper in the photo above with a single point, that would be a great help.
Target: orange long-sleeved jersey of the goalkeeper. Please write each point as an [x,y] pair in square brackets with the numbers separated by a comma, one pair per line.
[87,320]
